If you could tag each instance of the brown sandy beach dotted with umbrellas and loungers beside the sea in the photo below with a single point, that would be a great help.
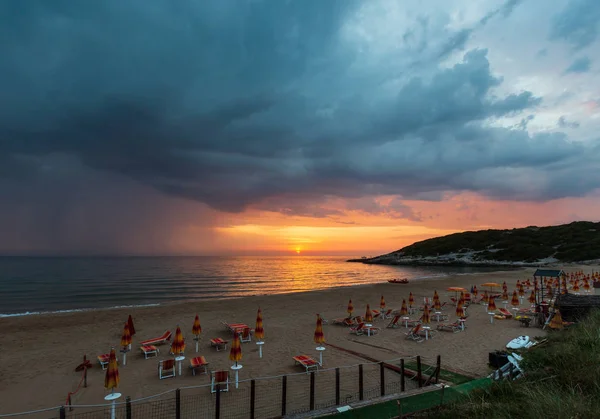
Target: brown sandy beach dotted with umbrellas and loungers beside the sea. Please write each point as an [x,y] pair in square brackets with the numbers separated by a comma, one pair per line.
[40,352]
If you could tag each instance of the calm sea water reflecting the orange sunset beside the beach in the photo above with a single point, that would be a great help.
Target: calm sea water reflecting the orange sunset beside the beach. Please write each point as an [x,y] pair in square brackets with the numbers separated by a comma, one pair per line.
[31,285]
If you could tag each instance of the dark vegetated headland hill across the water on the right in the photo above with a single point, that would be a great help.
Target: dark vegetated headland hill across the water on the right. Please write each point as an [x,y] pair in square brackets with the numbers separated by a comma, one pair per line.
[572,242]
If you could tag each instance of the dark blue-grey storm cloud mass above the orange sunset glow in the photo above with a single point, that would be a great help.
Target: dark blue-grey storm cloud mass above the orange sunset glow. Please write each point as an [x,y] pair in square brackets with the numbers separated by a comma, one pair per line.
[236,104]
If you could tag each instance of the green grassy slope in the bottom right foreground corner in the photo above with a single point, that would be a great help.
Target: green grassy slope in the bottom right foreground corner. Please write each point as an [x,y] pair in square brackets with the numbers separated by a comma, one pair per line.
[561,381]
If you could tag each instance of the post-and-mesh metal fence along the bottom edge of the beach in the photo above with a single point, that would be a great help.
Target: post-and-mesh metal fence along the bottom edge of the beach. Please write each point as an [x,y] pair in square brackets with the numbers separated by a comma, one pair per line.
[266,397]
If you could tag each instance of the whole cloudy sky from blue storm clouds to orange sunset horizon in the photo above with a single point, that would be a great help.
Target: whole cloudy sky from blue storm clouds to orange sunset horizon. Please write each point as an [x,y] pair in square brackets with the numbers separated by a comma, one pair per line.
[263,126]
